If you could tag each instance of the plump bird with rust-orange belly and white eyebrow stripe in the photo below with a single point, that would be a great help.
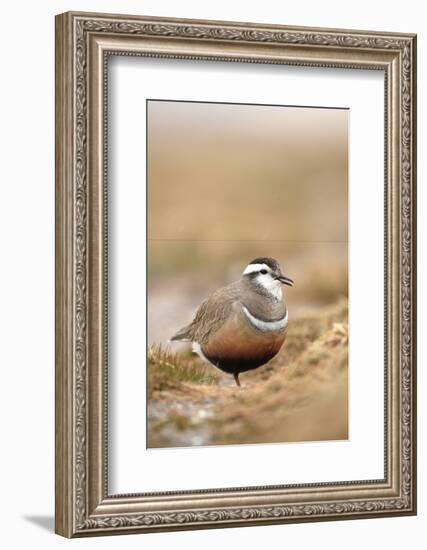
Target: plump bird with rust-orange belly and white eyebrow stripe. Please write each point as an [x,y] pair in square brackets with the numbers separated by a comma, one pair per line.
[241,326]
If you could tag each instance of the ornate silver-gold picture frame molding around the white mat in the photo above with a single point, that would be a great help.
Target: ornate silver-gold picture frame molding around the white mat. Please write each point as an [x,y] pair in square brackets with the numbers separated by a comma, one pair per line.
[83,43]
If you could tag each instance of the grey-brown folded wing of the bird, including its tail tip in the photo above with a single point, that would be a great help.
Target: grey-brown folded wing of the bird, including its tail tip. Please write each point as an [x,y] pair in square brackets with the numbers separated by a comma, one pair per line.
[210,316]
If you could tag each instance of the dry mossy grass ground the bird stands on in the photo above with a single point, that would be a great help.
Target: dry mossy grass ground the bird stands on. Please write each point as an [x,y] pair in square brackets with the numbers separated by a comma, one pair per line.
[301,395]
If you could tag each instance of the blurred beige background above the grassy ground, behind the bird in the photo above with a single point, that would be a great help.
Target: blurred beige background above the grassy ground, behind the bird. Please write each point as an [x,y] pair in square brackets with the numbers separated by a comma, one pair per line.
[230,182]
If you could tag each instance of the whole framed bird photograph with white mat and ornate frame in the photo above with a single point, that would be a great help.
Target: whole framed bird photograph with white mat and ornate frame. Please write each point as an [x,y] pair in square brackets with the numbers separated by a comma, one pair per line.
[235,274]
